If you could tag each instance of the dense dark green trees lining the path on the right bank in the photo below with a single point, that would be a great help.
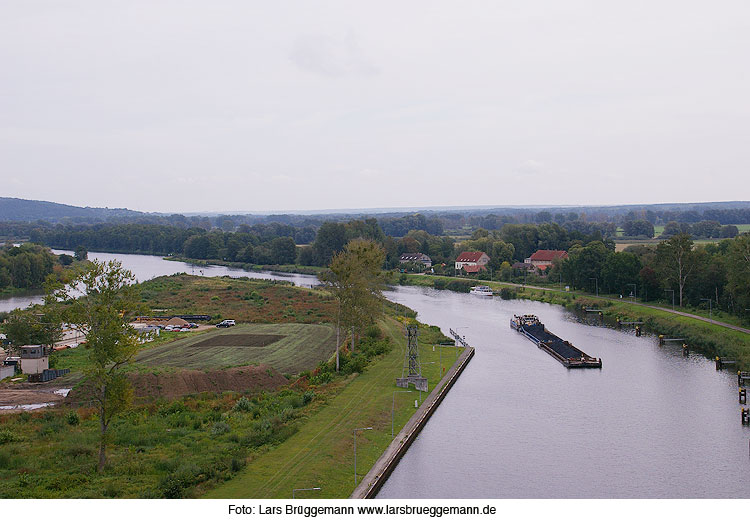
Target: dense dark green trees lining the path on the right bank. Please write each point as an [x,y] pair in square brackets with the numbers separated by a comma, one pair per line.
[693,273]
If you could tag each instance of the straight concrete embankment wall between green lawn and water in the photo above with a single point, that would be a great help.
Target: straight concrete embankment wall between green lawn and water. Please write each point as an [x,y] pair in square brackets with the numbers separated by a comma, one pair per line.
[378,474]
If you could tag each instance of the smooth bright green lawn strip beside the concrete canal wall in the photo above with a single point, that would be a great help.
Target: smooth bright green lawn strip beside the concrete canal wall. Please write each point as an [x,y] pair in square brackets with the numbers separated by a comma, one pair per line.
[321,453]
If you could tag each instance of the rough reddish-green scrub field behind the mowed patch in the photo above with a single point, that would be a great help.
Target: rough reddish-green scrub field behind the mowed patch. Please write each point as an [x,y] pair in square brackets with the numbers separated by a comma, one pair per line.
[245,300]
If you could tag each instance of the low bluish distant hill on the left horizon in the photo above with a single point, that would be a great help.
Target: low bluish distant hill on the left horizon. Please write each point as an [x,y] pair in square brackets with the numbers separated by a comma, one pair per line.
[12,209]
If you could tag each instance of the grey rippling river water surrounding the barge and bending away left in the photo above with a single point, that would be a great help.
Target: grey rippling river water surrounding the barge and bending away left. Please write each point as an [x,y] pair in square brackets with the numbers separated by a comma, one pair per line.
[517,424]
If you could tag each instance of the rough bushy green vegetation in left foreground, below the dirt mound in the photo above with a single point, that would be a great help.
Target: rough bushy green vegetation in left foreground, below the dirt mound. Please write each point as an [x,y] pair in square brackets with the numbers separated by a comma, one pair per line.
[157,450]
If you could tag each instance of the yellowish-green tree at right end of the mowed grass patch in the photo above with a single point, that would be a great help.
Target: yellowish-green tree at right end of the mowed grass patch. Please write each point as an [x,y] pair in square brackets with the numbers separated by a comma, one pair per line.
[356,279]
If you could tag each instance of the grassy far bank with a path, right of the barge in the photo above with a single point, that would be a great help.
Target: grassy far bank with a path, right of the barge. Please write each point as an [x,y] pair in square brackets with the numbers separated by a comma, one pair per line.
[702,335]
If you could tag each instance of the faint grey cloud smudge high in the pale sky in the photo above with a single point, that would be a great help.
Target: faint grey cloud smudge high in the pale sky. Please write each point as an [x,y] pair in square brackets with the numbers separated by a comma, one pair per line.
[331,57]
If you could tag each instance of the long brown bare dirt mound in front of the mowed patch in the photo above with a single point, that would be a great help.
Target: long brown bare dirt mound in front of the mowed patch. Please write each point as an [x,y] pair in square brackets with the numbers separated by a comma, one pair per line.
[239,379]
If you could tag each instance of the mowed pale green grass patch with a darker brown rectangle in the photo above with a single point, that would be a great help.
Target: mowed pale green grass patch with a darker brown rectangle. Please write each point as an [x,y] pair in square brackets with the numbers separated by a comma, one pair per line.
[289,348]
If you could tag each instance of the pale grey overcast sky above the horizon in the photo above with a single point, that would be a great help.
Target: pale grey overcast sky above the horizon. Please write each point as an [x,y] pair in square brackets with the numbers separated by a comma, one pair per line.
[275,105]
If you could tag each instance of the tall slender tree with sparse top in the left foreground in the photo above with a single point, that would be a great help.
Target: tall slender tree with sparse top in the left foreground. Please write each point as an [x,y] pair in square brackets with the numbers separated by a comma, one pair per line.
[104,302]
